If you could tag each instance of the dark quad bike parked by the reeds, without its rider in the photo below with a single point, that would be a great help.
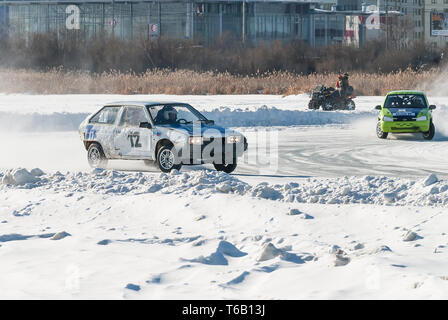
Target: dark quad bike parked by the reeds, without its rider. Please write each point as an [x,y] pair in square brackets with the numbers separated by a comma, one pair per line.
[330,99]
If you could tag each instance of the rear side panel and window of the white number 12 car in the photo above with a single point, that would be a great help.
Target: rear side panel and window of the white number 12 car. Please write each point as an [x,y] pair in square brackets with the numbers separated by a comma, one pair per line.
[101,127]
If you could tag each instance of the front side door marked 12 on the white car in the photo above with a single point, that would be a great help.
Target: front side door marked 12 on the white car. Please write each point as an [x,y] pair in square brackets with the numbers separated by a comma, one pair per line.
[131,141]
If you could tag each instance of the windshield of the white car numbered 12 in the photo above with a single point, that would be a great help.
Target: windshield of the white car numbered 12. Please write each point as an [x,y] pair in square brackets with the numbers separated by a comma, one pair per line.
[175,114]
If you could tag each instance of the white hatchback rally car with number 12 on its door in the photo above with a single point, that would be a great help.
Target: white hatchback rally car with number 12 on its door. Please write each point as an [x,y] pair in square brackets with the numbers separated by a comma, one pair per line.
[167,134]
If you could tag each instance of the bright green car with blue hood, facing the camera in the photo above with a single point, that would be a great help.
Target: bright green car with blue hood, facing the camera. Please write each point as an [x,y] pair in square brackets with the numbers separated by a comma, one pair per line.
[405,112]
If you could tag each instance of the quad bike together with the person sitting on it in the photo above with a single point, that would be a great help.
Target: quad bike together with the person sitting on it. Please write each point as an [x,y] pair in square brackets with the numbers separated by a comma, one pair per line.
[330,99]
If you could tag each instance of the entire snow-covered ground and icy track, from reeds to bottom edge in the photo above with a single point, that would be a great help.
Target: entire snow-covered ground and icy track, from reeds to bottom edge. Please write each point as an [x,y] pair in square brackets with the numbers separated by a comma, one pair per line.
[332,212]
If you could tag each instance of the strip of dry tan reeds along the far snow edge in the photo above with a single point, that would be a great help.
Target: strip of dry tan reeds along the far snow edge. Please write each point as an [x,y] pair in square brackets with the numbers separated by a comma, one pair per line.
[59,81]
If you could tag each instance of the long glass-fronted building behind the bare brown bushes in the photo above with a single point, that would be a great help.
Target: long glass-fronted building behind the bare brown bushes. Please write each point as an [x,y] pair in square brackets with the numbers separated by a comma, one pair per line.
[317,22]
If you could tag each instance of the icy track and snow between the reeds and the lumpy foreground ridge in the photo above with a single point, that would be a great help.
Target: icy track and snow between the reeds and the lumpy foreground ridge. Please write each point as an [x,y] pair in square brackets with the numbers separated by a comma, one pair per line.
[40,131]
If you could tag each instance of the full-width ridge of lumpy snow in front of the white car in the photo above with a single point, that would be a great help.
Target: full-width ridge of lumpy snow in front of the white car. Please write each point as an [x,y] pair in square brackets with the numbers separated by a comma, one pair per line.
[345,190]
